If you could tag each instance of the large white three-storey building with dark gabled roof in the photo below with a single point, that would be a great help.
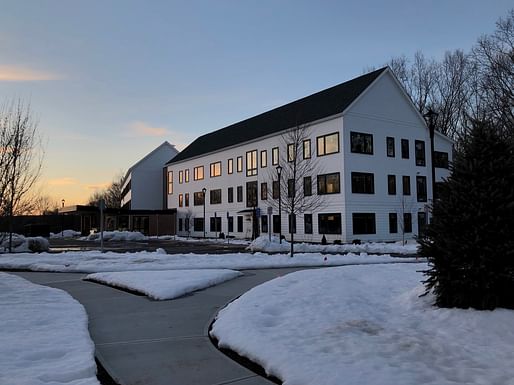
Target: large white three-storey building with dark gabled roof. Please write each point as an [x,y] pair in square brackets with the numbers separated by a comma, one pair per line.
[373,151]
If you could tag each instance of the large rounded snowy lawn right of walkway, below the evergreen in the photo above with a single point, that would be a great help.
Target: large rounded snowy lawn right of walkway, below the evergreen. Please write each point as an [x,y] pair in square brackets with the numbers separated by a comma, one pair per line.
[366,325]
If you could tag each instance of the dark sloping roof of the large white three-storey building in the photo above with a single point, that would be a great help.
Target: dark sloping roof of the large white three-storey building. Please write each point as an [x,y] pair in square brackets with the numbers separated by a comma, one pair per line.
[317,106]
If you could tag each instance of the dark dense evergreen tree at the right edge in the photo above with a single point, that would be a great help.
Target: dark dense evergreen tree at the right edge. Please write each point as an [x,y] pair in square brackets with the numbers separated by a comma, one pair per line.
[470,244]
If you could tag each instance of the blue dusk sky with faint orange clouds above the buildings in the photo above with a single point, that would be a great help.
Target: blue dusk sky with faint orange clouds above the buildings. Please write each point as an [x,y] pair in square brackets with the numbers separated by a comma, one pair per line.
[108,81]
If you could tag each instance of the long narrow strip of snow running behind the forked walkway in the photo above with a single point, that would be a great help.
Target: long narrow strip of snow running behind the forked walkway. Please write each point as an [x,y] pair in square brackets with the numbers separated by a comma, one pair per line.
[95,261]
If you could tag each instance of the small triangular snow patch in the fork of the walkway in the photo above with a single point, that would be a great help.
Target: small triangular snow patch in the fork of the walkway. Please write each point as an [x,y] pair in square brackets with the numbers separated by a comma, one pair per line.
[163,285]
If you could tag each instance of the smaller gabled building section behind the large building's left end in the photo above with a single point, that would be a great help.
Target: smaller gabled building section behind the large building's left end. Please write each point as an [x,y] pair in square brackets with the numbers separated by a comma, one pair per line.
[144,183]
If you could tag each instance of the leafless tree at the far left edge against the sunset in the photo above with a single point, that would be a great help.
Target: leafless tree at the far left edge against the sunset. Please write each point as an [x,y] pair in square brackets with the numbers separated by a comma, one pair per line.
[21,158]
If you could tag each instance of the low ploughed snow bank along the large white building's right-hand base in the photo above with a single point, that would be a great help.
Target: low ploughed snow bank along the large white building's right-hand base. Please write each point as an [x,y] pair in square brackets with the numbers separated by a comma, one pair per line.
[263,243]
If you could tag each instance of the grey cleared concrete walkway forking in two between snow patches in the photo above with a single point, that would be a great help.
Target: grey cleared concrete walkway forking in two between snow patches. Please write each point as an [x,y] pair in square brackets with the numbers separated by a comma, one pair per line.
[141,341]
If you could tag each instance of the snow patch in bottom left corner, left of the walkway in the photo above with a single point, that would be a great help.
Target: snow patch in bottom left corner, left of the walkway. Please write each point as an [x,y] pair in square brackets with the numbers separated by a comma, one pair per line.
[43,336]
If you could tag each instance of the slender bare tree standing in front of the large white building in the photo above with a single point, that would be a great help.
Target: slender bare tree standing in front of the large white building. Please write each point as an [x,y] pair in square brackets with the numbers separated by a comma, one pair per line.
[299,169]
